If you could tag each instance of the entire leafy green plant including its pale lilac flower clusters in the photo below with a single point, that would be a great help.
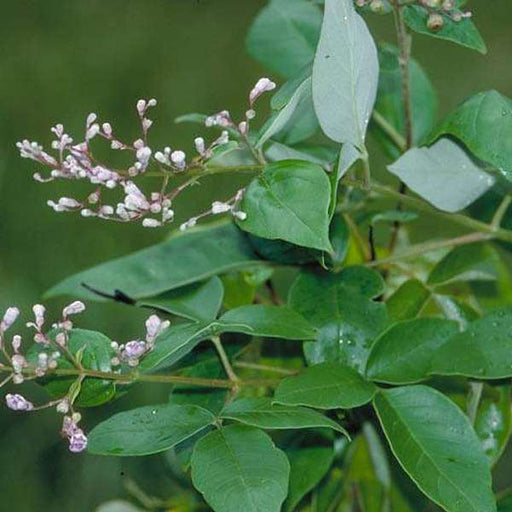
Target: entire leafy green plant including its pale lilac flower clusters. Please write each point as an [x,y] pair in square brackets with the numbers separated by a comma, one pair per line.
[297,333]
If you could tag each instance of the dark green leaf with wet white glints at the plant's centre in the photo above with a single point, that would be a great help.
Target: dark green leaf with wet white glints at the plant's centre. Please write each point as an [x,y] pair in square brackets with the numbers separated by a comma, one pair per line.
[340,306]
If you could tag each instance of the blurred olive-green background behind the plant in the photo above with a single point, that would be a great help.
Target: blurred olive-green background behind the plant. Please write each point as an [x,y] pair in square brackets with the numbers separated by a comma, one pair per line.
[60,60]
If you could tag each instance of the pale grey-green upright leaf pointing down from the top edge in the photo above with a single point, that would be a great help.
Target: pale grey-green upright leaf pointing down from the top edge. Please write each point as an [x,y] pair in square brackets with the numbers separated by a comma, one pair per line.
[345,74]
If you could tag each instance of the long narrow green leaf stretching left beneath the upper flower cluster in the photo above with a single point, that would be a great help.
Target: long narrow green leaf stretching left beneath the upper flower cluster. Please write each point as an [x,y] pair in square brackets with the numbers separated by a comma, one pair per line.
[184,259]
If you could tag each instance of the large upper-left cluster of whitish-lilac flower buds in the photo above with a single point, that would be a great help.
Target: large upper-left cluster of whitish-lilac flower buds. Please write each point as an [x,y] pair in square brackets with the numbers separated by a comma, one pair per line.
[75,161]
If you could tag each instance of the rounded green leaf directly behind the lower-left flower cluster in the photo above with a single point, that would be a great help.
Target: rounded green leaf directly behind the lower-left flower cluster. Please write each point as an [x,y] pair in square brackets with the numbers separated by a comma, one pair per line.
[96,354]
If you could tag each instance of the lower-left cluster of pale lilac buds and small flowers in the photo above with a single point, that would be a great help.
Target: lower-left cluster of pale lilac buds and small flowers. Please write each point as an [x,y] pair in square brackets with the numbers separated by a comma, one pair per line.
[54,348]
